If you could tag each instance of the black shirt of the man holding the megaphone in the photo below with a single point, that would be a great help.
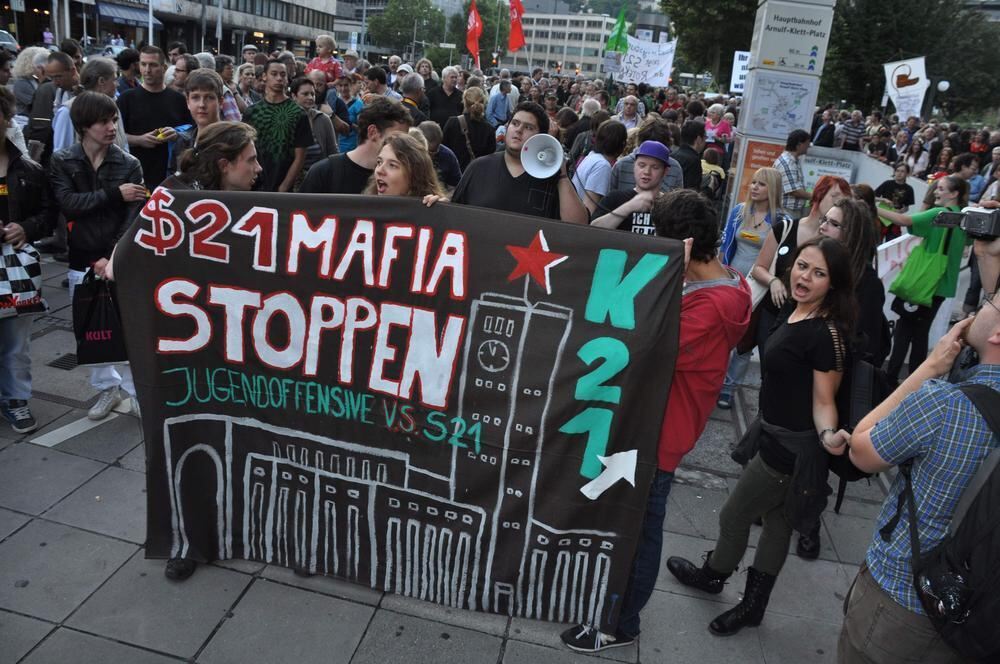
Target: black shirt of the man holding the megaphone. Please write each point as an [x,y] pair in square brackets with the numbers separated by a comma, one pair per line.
[487,183]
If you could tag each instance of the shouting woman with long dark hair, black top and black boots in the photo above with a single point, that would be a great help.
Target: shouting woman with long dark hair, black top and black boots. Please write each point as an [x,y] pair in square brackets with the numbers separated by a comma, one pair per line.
[784,482]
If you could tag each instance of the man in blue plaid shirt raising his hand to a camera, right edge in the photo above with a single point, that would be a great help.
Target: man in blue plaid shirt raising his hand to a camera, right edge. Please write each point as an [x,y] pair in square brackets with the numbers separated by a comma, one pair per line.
[932,429]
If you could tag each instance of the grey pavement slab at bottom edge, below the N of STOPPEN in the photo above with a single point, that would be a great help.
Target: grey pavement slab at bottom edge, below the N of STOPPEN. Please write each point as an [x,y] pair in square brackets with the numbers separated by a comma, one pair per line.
[396,637]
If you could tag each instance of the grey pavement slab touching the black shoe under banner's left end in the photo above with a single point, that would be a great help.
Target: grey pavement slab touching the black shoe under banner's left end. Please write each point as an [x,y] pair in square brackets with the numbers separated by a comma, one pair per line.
[138,605]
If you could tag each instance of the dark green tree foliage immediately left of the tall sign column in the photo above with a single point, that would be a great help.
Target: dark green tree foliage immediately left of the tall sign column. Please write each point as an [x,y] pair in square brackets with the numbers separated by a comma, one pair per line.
[708,32]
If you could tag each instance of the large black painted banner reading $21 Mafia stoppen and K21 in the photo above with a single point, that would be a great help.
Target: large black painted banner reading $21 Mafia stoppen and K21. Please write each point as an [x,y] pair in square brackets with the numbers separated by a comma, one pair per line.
[447,403]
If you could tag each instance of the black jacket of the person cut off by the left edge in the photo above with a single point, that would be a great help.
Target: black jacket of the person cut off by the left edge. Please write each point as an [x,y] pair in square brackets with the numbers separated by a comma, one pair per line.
[29,200]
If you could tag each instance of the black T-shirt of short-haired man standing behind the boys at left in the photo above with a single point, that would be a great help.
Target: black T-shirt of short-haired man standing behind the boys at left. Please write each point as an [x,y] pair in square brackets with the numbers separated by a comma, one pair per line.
[143,111]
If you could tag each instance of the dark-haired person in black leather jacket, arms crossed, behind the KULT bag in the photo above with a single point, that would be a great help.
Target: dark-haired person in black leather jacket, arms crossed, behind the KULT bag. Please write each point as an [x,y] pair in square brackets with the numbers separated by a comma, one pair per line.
[99,188]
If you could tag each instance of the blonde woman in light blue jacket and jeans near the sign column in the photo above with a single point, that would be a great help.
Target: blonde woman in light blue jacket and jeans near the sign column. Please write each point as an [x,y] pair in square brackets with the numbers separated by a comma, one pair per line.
[746,231]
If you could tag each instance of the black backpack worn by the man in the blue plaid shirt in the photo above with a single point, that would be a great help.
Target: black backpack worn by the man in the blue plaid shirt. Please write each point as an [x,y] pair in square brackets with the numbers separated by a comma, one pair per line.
[958,581]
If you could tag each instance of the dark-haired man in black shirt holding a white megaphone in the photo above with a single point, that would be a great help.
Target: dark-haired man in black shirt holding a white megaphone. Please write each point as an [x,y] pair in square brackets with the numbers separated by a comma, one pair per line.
[525,178]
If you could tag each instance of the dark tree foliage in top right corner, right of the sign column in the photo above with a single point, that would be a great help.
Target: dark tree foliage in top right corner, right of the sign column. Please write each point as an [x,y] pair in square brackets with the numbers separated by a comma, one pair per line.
[959,45]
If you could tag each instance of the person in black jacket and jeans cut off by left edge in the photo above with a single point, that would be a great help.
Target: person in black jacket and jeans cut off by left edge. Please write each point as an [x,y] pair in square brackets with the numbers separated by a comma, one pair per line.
[25,215]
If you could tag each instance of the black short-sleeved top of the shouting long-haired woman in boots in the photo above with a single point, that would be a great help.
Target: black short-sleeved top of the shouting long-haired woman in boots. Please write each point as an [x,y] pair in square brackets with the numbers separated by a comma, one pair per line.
[793,352]
